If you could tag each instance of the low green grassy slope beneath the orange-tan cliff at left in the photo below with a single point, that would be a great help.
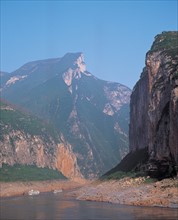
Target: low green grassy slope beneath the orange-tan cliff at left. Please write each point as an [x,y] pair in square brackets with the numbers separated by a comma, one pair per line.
[27,173]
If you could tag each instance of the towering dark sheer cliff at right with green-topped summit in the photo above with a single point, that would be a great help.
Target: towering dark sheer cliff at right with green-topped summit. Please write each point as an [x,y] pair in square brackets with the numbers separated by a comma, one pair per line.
[154,106]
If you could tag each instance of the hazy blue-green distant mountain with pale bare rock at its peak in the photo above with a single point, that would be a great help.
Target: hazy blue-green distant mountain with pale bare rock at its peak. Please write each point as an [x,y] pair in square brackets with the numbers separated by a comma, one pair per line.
[92,114]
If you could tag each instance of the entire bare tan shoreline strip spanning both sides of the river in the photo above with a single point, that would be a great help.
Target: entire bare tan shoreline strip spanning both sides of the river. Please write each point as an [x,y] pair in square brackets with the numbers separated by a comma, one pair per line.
[129,191]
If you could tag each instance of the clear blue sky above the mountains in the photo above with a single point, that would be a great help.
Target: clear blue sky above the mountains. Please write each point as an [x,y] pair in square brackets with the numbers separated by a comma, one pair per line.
[113,35]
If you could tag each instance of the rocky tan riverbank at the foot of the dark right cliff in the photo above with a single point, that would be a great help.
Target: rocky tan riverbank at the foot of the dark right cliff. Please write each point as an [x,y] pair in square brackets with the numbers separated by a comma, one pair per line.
[132,191]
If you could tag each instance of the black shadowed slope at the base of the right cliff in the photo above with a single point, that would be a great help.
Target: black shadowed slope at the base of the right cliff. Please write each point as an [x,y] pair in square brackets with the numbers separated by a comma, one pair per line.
[137,163]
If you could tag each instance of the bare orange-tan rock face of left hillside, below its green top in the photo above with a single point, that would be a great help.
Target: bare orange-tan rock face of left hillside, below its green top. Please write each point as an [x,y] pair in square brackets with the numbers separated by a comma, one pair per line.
[35,151]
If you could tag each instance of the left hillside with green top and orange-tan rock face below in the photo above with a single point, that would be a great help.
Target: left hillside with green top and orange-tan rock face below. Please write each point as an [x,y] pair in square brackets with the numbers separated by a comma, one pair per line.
[24,139]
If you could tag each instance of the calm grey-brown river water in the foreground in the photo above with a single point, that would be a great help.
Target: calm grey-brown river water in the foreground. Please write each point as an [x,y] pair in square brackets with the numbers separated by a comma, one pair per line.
[51,206]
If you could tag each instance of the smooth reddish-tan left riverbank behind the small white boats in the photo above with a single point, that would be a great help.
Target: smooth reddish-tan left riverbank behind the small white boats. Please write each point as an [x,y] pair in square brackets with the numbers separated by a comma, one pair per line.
[8,189]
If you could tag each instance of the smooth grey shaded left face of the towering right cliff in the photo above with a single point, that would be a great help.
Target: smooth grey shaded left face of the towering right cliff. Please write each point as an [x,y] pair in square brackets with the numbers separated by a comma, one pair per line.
[138,129]
